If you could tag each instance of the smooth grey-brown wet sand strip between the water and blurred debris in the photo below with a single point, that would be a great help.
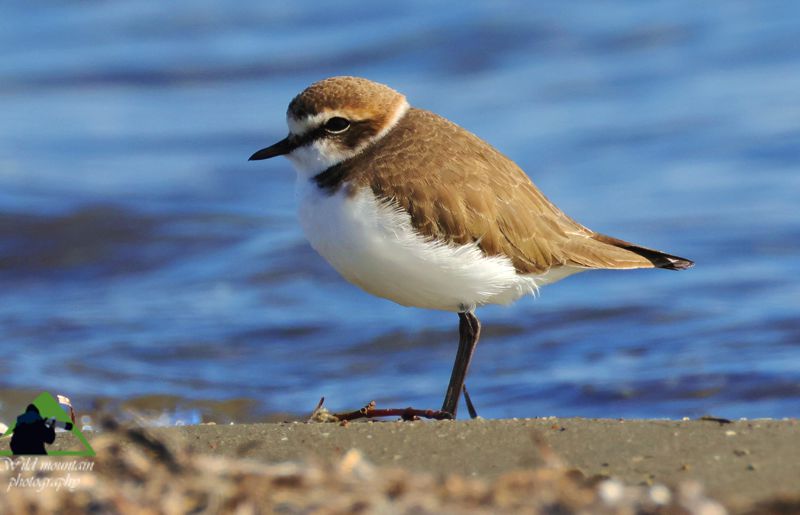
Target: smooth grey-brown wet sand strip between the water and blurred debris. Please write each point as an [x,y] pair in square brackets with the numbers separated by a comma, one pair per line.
[738,463]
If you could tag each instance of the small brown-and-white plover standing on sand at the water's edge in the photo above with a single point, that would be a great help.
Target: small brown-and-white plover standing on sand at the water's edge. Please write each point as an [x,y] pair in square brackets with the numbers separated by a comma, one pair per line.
[411,207]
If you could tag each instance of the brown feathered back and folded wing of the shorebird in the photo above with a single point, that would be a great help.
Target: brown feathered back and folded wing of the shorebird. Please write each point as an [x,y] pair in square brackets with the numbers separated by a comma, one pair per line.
[459,189]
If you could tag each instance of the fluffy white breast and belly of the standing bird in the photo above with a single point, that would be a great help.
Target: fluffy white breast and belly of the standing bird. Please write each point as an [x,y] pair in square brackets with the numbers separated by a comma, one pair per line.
[373,245]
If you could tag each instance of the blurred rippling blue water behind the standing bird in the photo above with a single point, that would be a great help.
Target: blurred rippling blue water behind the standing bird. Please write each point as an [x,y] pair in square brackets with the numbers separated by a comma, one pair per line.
[144,261]
